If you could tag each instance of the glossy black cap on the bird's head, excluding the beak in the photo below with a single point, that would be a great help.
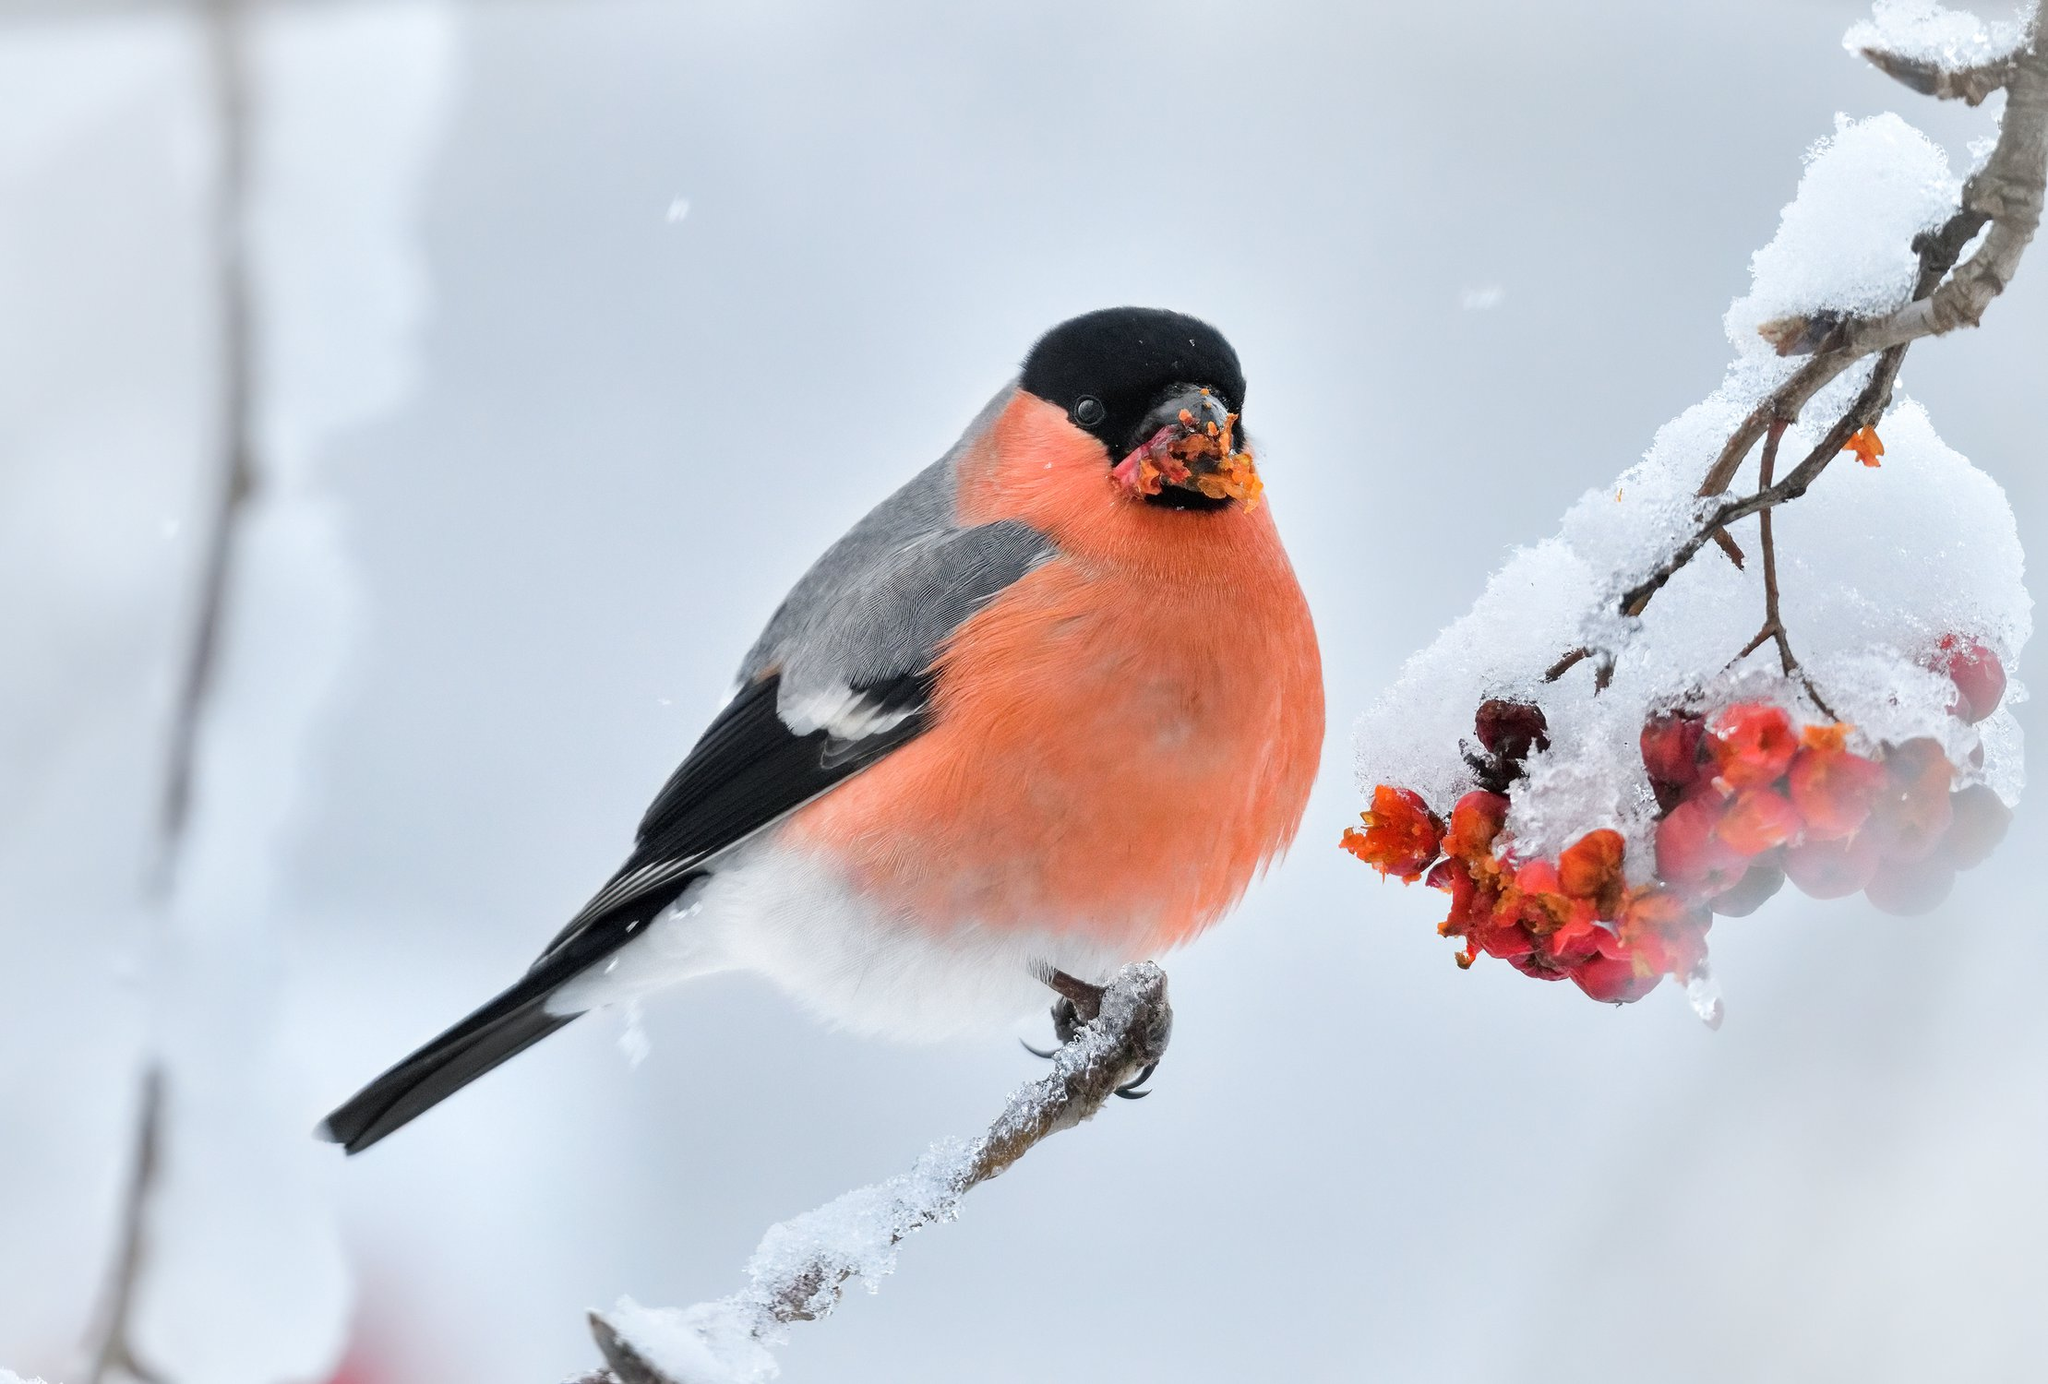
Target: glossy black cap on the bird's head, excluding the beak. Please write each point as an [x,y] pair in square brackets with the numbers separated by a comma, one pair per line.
[1111,367]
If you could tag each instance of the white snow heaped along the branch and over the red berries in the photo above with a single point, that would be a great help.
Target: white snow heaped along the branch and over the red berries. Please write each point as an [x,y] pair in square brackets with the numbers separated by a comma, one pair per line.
[1875,564]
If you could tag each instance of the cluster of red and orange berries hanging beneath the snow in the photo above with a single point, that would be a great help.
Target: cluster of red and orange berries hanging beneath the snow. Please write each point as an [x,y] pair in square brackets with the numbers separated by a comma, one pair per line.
[1746,802]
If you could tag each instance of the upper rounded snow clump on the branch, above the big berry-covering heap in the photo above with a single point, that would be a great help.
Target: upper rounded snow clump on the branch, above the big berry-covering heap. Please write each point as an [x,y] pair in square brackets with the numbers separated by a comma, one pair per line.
[1846,243]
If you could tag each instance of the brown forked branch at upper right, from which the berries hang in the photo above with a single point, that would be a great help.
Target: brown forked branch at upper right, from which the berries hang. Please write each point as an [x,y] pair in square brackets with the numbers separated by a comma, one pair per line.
[2006,196]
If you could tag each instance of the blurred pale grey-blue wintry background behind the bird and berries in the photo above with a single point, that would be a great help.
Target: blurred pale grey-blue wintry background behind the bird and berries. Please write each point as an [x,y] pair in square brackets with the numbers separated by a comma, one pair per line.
[572,333]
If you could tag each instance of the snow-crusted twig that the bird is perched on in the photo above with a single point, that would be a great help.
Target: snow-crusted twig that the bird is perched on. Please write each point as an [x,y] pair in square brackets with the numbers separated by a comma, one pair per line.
[802,1266]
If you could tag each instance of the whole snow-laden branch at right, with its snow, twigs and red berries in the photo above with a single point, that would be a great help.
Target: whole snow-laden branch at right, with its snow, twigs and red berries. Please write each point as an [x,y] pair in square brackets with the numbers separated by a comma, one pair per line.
[1680,709]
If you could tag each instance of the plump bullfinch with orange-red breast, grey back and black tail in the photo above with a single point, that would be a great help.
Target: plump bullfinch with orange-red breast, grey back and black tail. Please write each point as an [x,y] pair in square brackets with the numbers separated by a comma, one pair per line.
[1046,711]
